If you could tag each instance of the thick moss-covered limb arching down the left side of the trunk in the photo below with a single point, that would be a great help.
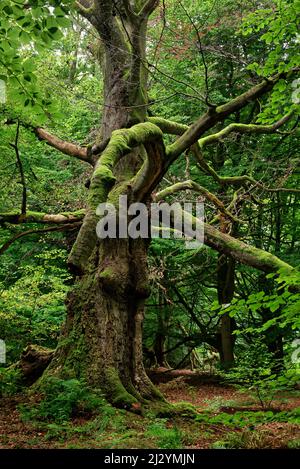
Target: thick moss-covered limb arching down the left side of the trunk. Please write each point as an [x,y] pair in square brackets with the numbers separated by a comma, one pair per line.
[121,143]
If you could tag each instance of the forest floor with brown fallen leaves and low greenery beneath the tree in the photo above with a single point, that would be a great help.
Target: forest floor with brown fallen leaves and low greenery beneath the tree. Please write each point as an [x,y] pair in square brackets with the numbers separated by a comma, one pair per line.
[225,419]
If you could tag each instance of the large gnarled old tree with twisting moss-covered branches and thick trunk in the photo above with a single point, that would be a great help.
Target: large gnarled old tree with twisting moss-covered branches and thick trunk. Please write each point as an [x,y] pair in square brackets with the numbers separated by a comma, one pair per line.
[102,337]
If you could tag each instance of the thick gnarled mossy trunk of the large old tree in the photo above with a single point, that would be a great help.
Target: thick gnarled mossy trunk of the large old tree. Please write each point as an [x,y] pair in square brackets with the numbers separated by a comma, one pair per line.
[101,340]
